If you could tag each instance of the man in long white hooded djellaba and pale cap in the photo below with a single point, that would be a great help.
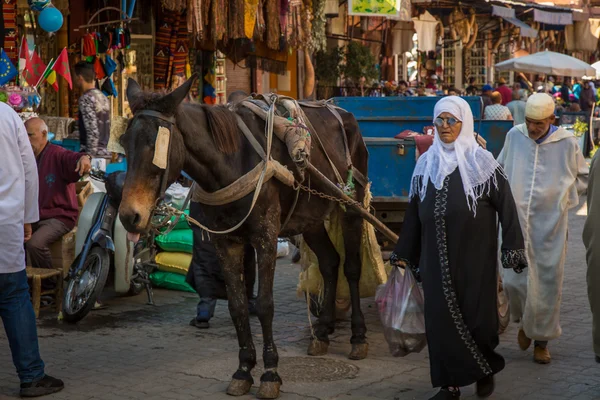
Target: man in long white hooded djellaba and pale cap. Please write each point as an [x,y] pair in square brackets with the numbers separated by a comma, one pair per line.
[547,174]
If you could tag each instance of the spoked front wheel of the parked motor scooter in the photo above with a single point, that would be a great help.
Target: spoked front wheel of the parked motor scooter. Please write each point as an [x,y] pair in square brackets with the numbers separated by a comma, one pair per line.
[82,291]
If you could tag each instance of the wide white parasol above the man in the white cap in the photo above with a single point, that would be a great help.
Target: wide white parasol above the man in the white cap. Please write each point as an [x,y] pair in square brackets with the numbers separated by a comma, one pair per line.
[548,63]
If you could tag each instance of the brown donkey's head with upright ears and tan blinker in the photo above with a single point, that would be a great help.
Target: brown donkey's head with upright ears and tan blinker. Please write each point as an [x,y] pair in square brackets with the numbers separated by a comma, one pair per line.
[147,157]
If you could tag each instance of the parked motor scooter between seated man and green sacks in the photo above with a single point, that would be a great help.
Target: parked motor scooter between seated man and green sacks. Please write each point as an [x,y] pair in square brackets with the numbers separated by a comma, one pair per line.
[102,246]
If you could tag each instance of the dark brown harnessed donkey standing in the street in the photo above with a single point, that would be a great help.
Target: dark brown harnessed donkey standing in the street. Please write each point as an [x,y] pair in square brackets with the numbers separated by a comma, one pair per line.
[207,144]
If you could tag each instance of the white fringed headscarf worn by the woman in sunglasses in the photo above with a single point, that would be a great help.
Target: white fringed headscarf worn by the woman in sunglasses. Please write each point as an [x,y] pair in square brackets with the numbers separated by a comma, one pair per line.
[476,165]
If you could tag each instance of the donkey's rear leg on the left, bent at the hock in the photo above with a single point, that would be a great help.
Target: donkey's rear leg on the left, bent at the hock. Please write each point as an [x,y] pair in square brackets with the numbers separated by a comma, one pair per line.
[329,262]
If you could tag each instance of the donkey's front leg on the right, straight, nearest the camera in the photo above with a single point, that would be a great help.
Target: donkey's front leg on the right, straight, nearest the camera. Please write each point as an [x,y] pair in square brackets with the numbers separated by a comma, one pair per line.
[270,381]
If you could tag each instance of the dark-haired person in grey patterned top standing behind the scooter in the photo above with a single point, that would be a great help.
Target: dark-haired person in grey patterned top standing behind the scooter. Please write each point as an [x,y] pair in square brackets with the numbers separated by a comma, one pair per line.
[94,112]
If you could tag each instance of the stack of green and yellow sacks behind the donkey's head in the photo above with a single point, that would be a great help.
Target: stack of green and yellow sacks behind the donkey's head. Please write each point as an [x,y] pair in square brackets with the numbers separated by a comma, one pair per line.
[175,258]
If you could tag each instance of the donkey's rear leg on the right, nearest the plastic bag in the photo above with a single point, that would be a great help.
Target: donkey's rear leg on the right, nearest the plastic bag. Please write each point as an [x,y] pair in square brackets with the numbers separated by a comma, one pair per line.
[353,225]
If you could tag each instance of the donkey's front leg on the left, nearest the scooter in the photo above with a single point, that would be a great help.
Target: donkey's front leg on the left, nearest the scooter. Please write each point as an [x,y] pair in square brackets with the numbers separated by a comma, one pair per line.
[231,257]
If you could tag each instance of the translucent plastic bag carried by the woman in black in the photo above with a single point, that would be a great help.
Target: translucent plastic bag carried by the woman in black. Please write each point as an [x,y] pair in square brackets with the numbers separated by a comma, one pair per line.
[401,309]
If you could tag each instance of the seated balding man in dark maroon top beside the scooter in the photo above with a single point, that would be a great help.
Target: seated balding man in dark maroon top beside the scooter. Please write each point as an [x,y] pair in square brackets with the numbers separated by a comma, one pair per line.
[58,170]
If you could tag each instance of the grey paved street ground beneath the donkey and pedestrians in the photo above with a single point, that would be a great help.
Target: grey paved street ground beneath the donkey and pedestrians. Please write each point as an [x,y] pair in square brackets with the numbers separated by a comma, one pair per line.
[134,351]
